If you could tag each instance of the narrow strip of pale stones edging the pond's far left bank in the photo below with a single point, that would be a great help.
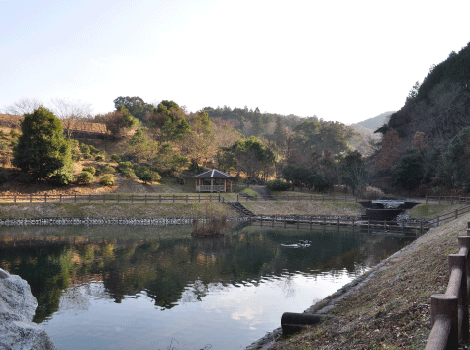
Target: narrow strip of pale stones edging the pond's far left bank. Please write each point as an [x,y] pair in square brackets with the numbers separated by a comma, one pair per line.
[103,221]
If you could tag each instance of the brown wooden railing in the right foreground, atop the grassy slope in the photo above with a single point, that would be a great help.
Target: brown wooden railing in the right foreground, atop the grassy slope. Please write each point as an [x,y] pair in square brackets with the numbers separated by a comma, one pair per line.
[449,311]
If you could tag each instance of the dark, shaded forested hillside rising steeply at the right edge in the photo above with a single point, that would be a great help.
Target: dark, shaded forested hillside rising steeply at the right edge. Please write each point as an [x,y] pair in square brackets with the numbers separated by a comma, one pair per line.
[425,143]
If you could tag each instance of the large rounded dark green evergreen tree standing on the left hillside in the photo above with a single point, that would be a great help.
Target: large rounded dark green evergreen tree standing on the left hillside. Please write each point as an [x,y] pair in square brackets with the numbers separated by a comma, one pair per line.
[42,151]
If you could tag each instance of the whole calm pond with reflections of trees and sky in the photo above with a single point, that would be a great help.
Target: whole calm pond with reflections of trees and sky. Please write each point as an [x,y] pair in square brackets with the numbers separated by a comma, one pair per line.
[116,287]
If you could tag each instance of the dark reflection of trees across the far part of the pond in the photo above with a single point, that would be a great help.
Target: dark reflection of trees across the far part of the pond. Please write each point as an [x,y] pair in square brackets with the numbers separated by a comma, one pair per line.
[175,270]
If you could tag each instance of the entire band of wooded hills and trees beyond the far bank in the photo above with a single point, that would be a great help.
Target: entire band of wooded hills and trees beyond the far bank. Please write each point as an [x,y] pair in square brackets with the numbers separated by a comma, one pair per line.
[422,149]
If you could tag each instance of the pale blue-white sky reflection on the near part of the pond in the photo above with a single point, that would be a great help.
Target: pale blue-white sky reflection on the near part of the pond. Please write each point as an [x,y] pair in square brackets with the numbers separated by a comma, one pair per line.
[226,317]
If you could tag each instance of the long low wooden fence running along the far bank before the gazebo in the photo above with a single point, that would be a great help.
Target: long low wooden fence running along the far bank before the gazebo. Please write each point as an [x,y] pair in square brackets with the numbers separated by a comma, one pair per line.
[153,198]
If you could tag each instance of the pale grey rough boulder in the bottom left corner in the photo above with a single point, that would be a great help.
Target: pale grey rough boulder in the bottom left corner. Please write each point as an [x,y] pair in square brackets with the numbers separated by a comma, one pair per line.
[17,307]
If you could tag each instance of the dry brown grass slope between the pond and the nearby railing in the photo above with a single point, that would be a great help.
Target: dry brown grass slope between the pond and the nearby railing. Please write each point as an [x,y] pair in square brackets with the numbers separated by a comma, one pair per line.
[391,310]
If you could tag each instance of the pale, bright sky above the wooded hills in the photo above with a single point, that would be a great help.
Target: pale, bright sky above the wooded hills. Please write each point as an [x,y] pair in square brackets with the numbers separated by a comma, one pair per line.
[340,60]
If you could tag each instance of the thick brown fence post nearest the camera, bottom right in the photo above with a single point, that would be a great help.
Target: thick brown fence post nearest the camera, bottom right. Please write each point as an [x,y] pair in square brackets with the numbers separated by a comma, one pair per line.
[448,307]
